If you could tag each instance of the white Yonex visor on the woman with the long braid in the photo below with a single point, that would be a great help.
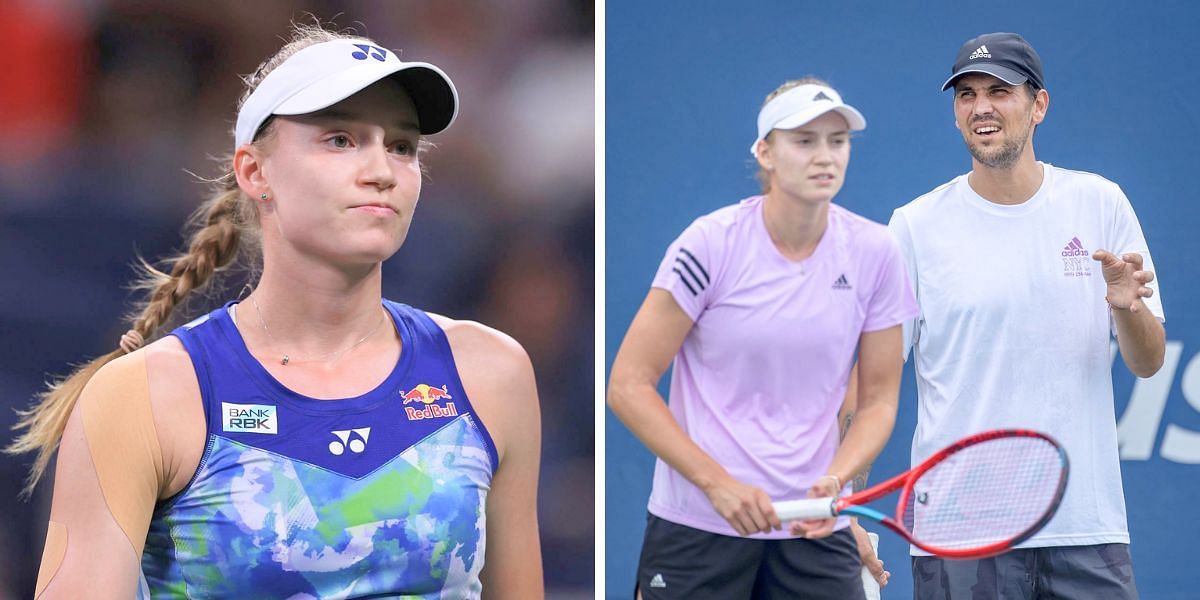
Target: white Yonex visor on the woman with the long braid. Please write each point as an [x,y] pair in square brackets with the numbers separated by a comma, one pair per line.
[329,73]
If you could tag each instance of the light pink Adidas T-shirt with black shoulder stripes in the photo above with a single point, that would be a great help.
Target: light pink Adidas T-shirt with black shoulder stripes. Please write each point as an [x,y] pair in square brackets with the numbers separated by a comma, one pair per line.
[759,381]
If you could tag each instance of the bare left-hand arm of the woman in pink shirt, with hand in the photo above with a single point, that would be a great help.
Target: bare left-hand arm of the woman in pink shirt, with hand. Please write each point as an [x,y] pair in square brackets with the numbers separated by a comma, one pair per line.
[651,344]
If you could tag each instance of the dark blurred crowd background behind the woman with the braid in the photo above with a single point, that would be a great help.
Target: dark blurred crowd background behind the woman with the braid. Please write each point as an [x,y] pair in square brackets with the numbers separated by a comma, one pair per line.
[111,109]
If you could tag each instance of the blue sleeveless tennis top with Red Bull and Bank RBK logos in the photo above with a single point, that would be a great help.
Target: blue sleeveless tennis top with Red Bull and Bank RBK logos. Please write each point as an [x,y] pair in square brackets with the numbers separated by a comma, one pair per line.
[377,496]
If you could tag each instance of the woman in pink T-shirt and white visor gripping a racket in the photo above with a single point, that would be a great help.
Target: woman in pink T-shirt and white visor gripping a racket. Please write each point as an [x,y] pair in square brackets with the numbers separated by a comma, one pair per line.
[760,307]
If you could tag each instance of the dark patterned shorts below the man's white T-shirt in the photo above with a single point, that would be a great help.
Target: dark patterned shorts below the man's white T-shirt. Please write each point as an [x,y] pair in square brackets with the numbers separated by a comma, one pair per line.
[1103,572]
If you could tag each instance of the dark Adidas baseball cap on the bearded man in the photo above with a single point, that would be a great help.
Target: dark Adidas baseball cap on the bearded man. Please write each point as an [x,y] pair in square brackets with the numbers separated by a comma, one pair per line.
[1005,56]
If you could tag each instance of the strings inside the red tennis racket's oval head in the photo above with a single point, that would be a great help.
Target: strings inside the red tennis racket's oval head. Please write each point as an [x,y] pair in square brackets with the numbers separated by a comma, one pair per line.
[985,494]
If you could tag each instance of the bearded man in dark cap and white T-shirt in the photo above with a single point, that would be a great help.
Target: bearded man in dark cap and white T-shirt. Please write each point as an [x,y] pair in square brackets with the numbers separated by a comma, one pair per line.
[1022,269]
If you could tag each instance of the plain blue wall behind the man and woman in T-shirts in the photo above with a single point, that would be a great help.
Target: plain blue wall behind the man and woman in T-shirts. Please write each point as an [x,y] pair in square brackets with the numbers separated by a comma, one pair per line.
[685,85]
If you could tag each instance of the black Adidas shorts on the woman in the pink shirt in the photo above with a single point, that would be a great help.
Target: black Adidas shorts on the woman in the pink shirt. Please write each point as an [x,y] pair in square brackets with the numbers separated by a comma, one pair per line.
[683,563]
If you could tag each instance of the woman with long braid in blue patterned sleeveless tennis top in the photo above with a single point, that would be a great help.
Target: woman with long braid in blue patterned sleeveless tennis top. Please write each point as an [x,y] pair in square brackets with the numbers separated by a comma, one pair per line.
[313,440]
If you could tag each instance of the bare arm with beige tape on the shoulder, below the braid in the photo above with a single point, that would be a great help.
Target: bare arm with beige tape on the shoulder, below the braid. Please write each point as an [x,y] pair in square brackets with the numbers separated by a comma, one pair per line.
[109,475]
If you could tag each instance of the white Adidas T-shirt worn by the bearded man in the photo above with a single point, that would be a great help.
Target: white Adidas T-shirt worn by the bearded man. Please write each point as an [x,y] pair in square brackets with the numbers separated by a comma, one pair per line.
[1015,331]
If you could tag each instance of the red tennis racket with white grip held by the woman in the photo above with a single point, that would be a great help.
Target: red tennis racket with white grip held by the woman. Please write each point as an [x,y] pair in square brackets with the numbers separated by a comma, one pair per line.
[976,499]
